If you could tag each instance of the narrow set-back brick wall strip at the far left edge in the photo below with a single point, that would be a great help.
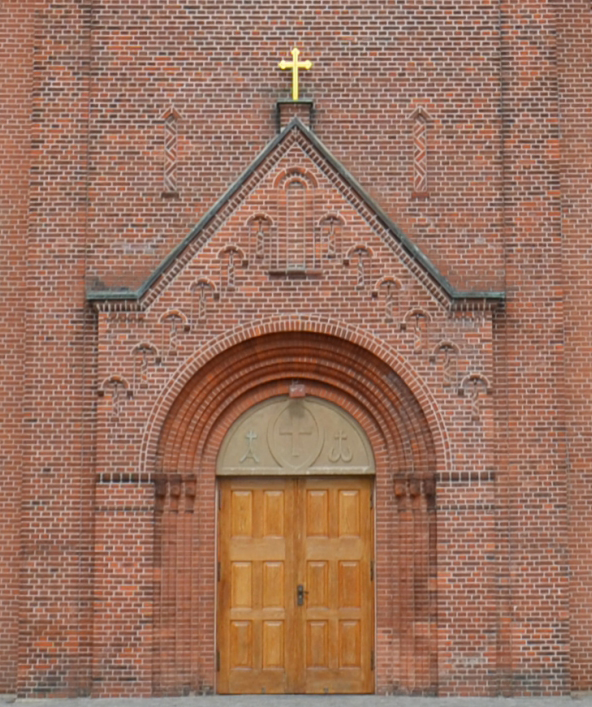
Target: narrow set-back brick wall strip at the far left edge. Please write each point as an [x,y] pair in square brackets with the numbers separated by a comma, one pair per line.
[16,39]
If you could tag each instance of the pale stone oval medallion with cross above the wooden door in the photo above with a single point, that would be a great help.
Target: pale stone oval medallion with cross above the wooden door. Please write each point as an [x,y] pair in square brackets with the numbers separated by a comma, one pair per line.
[295,439]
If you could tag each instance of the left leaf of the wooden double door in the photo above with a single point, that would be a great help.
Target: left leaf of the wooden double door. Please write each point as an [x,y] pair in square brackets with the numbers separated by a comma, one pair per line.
[255,581]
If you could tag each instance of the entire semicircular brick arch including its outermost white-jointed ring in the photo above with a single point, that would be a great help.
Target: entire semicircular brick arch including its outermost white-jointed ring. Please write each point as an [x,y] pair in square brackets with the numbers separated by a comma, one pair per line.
[348,366]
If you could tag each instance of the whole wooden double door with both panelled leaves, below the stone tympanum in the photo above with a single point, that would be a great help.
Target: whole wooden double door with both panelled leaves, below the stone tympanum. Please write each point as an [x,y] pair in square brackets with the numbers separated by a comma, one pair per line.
[296,592]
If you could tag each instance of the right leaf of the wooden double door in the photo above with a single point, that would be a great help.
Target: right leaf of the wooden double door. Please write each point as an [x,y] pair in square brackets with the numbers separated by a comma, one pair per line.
[336,564]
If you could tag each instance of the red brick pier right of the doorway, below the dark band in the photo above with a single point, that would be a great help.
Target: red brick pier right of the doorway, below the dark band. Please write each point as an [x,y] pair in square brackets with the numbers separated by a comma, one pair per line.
[467,586]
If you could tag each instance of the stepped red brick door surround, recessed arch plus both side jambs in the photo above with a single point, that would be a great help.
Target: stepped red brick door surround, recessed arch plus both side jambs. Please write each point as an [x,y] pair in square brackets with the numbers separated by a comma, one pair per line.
[216,390]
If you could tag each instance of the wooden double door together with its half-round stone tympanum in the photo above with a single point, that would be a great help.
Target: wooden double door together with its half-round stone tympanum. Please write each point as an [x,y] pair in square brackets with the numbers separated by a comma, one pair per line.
[295,551]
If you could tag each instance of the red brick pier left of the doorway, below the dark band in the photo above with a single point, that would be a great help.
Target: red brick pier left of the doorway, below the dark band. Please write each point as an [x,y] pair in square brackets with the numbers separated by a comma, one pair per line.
[123,593]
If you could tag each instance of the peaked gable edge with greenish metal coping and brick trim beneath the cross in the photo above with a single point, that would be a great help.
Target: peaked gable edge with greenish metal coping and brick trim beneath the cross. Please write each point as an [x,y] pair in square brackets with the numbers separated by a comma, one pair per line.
[297,134]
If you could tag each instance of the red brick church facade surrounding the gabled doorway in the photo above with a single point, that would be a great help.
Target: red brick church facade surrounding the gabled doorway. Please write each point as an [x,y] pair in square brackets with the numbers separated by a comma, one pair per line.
[494,190]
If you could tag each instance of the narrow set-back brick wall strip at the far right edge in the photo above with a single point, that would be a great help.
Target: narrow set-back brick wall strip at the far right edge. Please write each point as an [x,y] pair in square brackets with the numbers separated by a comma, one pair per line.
[575,61]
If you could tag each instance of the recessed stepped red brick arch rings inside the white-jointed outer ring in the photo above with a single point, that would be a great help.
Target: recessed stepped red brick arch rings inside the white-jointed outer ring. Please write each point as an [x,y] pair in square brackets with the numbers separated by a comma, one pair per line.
[265,366]
